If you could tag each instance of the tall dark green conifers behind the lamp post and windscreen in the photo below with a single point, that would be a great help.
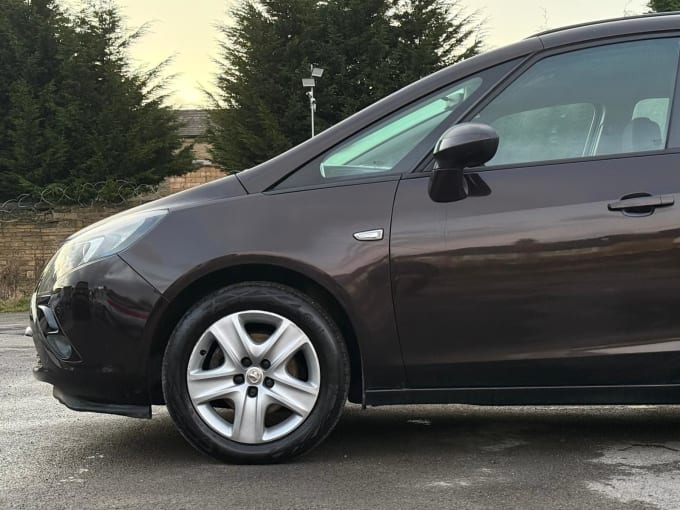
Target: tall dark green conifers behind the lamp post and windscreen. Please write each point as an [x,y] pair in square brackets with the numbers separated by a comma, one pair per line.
[368,48]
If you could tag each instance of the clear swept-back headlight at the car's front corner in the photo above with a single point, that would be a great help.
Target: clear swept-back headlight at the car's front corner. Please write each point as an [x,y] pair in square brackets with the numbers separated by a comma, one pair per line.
[104,239]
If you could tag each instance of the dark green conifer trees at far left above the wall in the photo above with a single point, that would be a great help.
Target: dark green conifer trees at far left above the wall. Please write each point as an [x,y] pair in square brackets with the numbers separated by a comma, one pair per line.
[71,107]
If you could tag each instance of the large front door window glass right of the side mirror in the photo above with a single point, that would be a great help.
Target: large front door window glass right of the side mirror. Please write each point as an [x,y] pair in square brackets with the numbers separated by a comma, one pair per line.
[590,102]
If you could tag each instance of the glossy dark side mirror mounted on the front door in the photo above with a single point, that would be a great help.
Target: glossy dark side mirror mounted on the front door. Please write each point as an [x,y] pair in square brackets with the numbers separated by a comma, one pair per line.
[463,146]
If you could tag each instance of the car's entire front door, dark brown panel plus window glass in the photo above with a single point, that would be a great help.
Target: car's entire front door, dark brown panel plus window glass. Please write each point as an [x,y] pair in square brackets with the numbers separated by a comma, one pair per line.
[564,269]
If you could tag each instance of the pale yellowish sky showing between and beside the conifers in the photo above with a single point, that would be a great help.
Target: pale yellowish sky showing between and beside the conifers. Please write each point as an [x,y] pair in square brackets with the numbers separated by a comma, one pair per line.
[186,31]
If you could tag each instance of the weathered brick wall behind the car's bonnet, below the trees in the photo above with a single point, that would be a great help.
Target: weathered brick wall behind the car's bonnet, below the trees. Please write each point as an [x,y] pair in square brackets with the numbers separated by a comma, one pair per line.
[27,244]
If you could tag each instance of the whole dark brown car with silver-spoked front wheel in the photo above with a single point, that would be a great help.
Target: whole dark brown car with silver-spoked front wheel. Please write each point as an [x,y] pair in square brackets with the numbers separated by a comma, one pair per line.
[501,232]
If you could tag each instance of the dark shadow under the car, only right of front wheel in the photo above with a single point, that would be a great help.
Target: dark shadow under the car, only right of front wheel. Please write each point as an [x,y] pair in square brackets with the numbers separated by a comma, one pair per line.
[442,429]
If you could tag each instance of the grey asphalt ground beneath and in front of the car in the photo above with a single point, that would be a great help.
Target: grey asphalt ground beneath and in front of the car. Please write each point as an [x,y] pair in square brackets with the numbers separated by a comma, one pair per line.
[381,458]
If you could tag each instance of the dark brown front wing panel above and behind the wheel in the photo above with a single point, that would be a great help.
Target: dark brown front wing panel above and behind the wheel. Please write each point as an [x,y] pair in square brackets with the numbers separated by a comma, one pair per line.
[310,232]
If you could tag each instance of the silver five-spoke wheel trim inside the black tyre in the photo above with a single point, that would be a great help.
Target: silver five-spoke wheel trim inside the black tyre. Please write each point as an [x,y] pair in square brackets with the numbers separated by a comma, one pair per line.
[256,388]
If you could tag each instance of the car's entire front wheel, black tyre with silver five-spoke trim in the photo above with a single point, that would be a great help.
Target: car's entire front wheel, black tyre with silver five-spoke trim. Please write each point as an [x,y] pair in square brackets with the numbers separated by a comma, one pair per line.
[255,372]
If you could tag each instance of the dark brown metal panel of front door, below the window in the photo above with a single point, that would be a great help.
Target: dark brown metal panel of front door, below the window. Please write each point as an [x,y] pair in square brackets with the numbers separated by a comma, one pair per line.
[542,284]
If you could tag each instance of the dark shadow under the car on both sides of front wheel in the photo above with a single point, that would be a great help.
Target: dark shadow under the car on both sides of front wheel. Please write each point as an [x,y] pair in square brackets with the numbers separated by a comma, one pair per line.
[411,432]
